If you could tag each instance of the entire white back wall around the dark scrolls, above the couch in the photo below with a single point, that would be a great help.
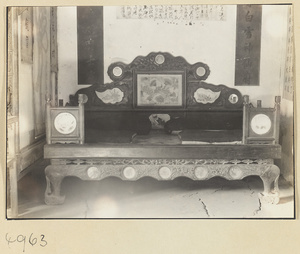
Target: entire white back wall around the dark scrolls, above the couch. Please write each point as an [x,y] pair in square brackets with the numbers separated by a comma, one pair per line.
[211,42]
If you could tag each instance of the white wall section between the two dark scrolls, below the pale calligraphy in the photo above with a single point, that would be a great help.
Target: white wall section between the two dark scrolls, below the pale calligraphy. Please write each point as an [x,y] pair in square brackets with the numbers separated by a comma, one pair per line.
[211,42]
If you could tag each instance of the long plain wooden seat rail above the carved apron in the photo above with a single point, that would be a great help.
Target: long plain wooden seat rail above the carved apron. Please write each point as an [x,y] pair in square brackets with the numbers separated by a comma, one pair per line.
[163,151]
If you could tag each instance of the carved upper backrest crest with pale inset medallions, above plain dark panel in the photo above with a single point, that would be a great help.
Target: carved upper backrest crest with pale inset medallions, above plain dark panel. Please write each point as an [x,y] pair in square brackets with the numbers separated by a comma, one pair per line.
[159,82]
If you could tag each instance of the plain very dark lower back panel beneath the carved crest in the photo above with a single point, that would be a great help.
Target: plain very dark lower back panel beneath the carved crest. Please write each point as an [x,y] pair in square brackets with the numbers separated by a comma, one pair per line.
[187,120]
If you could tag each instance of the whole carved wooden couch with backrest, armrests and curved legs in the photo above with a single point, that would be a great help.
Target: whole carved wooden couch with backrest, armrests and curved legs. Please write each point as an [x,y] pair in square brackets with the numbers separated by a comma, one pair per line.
[193,101]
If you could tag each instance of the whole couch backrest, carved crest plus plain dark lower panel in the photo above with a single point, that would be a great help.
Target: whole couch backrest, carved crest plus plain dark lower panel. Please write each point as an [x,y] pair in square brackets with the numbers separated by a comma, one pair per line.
[159,91]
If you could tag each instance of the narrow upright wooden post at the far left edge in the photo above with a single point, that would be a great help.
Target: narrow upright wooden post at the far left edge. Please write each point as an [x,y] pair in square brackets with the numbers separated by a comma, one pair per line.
[13,142]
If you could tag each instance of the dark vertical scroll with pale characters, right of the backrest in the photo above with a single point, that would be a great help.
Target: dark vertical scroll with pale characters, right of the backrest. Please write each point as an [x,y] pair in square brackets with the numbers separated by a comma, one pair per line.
[248,44]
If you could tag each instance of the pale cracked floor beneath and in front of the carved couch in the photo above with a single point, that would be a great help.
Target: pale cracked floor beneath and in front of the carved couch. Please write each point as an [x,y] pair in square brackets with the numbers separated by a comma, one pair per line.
[149,198]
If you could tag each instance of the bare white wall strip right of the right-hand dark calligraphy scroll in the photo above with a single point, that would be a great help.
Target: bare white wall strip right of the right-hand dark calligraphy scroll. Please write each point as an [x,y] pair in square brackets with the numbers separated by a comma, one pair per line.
[273,50]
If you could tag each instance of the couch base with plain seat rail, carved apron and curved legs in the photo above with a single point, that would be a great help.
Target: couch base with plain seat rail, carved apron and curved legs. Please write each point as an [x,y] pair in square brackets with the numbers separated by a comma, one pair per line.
[162,162]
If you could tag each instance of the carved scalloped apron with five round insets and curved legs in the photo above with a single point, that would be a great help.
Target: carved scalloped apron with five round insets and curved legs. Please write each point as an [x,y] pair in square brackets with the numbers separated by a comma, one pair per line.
[161,169]
